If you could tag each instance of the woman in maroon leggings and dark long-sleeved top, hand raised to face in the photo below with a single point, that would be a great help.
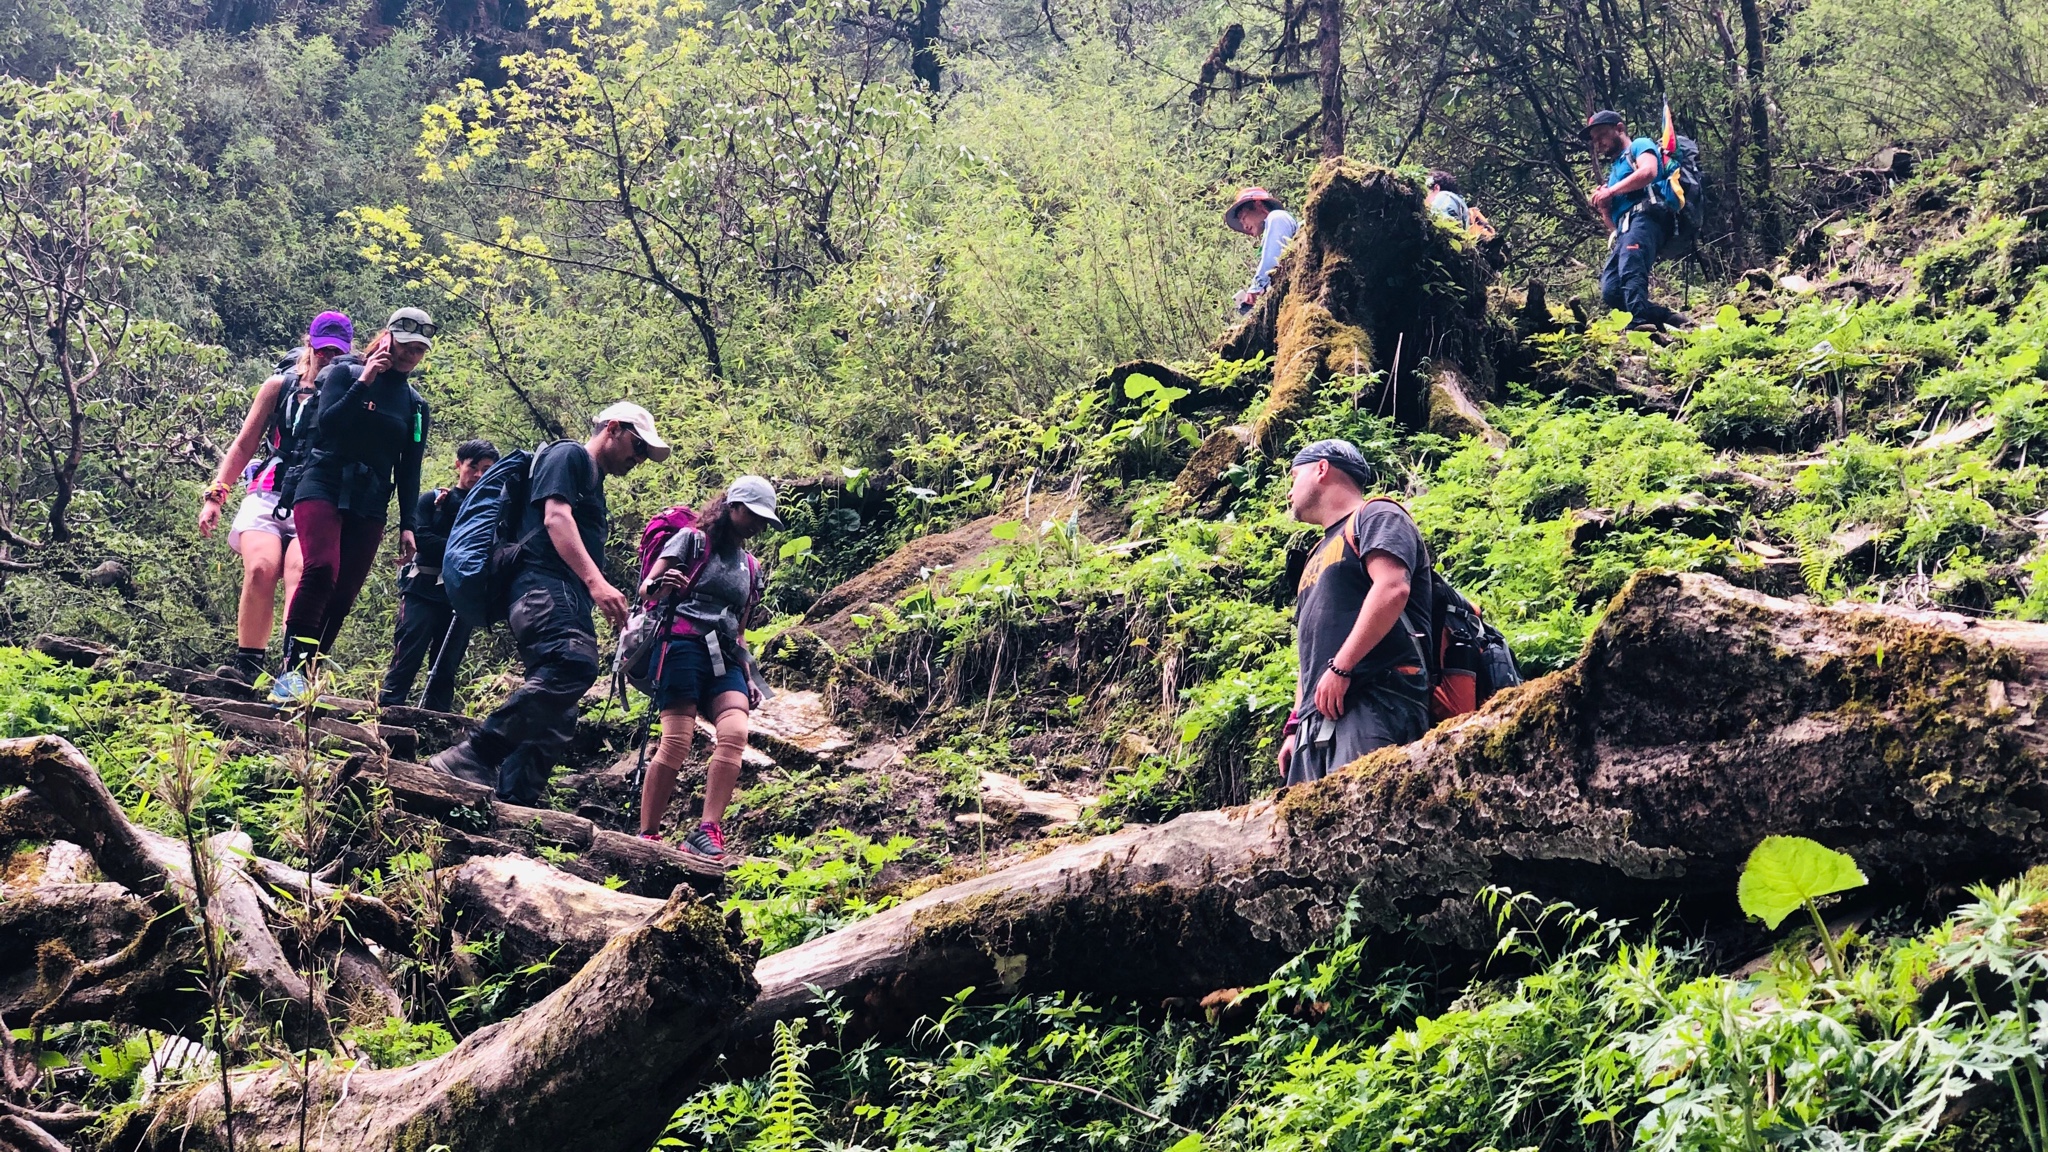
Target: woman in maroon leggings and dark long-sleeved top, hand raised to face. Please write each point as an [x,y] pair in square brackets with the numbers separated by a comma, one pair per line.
[368,444]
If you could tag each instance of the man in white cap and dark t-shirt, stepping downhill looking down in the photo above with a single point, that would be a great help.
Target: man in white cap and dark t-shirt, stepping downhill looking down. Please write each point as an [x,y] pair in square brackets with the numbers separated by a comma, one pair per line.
[556,587]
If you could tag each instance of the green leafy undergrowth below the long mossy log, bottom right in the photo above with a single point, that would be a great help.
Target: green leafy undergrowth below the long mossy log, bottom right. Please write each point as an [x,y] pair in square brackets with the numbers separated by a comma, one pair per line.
[1578,1034]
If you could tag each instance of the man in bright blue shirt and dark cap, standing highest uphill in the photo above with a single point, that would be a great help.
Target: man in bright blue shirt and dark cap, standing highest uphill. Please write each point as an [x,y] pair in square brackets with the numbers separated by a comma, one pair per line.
[1637,222]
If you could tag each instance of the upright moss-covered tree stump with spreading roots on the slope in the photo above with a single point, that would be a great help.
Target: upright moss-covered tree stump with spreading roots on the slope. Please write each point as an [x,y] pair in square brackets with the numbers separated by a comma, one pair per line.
[1371,280]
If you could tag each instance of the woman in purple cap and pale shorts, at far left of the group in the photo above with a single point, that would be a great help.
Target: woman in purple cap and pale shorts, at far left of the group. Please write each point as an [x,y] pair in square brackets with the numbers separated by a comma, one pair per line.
[267,546]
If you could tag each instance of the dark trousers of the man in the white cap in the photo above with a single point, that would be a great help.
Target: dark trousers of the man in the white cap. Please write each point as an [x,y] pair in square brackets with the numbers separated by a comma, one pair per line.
[558,645]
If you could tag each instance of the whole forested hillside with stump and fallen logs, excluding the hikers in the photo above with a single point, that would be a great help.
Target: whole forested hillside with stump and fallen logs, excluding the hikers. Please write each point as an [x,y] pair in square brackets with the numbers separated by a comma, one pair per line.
[1011,864]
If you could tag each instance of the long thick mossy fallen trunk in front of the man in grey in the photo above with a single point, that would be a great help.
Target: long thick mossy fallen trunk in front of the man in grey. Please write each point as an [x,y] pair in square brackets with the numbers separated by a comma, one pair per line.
[1699,721]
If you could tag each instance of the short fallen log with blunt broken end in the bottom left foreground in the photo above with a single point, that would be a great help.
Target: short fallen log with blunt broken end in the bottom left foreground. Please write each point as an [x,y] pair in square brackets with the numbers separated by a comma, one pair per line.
[599,1065]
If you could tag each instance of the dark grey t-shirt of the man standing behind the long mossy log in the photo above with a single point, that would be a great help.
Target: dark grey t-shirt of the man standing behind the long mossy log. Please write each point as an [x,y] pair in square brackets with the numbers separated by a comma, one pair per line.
[1334,591]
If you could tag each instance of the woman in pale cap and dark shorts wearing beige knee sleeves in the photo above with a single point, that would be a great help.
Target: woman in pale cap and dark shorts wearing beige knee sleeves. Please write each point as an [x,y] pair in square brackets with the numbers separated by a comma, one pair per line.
[703,669]
